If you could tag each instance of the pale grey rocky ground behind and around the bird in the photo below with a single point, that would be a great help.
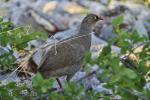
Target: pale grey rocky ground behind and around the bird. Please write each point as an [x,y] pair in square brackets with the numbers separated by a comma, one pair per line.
[60,19]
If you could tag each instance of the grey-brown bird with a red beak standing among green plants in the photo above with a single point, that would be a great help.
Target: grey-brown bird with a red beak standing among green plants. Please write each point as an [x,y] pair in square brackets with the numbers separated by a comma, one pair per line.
[65,58]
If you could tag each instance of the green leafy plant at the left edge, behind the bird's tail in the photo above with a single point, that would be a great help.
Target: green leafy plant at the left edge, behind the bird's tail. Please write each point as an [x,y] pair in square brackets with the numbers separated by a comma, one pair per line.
[14,39]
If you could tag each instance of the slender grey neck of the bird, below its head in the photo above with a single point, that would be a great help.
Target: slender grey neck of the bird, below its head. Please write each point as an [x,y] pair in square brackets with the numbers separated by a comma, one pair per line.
[85,29]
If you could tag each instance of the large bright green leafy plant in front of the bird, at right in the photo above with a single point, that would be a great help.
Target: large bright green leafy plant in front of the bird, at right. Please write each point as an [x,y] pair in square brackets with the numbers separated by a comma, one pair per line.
[128,83]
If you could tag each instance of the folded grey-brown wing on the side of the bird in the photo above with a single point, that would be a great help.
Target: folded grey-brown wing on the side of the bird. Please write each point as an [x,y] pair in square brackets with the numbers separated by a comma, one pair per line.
[62,55]
